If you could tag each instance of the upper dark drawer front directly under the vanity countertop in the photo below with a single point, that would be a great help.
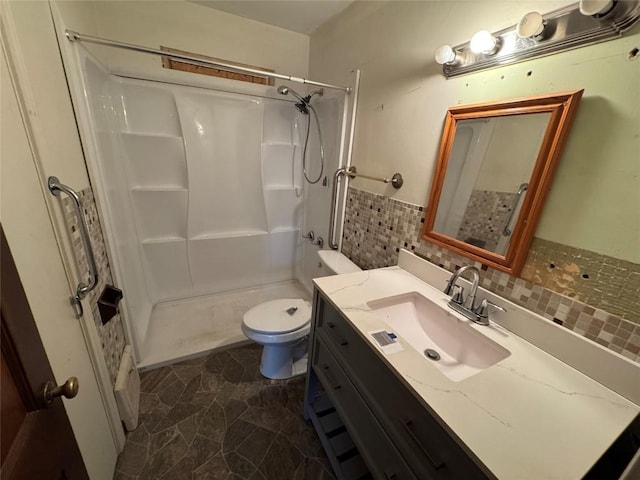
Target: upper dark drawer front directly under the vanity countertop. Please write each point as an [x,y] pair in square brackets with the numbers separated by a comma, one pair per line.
[426,446]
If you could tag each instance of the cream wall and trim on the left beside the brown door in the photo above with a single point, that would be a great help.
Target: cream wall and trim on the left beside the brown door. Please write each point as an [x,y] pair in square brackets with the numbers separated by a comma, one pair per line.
[38,139]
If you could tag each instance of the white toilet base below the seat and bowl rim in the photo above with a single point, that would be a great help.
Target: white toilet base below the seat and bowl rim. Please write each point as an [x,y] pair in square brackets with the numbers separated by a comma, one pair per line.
[280,362]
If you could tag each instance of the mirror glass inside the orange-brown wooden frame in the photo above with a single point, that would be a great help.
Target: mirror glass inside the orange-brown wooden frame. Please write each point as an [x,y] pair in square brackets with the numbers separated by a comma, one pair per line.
[487,177]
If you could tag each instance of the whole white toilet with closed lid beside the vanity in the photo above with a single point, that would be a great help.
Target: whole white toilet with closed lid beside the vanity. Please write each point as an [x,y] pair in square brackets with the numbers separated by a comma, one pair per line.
[282,326]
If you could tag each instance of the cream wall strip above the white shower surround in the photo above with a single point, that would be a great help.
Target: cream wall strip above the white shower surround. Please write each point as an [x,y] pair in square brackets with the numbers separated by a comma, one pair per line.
[185,26]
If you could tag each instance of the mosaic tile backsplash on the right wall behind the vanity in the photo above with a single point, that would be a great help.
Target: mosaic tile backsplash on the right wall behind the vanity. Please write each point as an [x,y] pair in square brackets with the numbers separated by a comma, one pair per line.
[376,227]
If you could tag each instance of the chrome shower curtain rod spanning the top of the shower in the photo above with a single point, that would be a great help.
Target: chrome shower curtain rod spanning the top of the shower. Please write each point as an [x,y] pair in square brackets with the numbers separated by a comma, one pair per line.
[81,37]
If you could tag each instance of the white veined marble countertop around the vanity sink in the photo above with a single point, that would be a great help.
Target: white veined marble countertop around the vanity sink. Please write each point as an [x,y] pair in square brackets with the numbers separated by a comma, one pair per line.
[530,416]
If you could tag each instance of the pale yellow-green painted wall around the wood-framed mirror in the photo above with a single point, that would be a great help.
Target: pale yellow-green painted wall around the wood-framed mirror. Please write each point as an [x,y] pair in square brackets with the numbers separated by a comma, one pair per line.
[594,199]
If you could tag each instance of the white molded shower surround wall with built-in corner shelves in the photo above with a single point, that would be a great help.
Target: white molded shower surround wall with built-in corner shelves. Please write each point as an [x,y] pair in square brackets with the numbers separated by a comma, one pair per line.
[204,188]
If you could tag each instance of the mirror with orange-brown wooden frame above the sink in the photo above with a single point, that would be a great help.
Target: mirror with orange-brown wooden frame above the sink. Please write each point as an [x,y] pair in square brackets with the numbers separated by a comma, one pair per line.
[494,169]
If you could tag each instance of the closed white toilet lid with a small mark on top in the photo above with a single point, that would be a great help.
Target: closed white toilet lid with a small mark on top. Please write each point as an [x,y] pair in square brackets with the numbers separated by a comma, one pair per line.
[272,317]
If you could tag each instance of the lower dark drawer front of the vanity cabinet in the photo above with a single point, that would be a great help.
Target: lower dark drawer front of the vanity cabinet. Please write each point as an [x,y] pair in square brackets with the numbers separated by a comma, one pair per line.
[381,456]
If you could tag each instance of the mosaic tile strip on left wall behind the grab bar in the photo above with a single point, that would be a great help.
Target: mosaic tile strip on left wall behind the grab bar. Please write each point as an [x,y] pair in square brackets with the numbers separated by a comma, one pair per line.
[112,334]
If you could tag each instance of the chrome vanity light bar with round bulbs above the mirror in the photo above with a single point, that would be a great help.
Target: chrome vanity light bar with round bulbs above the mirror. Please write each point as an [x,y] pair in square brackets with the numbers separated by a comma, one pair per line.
[583,23]
